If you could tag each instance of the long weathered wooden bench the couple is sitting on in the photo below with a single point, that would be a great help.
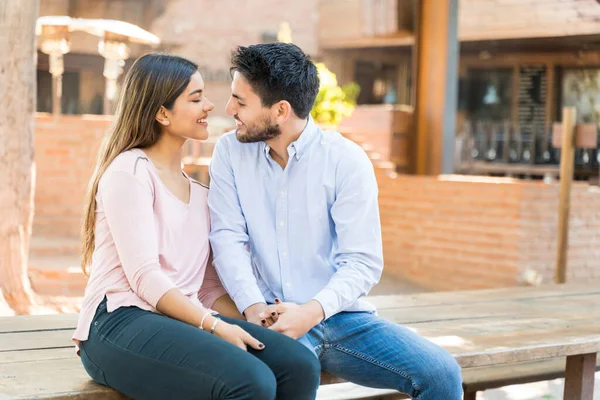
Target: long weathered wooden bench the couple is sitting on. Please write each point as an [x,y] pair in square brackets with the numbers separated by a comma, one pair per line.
[500,337]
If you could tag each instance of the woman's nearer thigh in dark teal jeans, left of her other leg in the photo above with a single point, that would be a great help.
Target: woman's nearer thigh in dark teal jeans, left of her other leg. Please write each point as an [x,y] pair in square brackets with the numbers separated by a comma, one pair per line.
[149,356]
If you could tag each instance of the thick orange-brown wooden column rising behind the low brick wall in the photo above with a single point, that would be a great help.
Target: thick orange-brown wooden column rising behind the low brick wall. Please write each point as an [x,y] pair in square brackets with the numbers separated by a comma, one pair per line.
[436,71]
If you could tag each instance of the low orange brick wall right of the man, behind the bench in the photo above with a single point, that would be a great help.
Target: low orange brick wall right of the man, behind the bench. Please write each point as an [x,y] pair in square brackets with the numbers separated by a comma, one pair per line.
[459,232]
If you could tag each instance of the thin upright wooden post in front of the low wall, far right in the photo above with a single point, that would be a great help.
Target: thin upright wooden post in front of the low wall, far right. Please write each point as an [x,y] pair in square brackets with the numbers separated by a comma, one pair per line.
[567,158]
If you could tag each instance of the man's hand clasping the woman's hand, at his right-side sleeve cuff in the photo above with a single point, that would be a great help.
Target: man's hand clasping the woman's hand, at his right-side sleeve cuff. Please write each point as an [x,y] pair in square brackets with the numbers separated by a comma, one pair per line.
[295,320]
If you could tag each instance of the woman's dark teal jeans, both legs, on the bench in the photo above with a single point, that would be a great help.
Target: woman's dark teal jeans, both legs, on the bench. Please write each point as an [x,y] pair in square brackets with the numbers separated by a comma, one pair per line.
[145,355]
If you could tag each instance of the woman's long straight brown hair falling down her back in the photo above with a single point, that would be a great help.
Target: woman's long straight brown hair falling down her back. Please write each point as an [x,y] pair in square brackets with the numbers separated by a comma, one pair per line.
[154,80]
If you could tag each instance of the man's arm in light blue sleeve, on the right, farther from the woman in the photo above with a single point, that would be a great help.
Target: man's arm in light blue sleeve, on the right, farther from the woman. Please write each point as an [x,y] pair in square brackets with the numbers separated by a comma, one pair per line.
[355,213]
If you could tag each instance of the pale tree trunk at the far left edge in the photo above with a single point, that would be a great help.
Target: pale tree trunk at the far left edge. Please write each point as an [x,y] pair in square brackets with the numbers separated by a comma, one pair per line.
[17,169]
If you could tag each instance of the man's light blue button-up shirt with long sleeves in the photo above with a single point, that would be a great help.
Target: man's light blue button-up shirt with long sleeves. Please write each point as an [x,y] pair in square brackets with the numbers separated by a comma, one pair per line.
[309,231]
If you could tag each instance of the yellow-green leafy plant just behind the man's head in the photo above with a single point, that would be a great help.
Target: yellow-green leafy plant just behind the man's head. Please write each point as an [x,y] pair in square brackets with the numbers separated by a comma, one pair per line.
[333,102]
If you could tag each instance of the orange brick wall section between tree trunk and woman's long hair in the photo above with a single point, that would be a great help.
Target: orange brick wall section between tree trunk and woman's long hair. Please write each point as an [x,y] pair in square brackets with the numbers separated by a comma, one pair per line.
[65,155]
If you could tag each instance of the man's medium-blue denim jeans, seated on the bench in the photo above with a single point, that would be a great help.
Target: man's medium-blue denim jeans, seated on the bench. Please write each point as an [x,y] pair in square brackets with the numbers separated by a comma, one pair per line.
[370,351]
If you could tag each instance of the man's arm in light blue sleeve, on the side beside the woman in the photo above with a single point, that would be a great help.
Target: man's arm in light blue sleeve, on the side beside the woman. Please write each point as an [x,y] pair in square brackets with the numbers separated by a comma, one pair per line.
[229,235]
